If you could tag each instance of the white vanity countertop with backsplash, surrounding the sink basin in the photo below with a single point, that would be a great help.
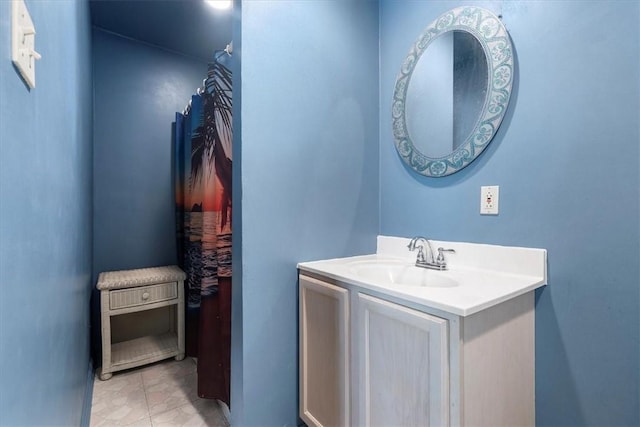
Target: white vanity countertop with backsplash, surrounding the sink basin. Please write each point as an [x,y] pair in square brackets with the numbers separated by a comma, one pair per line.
[486,274]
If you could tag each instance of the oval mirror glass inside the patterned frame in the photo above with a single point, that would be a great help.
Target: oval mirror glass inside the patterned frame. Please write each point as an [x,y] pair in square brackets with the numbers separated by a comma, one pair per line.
[446,93]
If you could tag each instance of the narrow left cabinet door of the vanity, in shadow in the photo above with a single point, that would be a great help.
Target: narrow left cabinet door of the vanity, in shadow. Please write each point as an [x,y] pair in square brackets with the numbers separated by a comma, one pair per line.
[324,353]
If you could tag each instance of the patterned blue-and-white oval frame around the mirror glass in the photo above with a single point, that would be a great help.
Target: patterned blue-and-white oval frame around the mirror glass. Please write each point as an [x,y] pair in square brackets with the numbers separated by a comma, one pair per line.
[494,39]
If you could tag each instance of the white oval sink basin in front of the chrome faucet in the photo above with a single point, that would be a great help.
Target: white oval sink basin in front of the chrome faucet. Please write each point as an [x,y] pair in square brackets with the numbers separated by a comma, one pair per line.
[400,273]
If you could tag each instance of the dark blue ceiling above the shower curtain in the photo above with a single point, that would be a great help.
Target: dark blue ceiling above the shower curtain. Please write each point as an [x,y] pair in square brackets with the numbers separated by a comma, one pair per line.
[190,27]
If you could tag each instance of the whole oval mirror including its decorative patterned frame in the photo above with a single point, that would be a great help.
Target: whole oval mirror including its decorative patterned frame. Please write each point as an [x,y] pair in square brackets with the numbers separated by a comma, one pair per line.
[452,91]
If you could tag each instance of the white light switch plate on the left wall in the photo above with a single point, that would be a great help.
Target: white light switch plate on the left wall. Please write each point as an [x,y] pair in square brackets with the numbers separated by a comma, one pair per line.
[23,40]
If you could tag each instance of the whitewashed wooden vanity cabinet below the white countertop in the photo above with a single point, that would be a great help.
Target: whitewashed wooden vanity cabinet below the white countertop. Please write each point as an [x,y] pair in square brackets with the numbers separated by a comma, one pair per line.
[370,359]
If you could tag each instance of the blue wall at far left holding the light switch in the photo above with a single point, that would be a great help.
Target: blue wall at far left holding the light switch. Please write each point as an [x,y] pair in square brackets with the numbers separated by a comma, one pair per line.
[45,220]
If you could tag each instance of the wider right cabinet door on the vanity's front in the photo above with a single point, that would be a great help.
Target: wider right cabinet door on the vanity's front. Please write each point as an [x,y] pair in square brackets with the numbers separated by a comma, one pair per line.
[403,369]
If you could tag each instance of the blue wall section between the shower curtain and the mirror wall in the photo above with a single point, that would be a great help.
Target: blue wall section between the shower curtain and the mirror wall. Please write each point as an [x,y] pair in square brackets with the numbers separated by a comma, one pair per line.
[309,177]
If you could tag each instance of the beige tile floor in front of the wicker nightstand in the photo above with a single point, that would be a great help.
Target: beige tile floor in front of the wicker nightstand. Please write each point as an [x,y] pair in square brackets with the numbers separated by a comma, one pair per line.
[158,395]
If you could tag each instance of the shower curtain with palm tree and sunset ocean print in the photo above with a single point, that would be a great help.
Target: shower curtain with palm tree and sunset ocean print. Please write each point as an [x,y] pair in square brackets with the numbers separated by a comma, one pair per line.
[203,138]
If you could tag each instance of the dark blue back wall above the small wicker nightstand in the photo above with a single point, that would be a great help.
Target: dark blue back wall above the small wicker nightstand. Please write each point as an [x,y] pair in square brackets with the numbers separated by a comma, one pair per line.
[137,88]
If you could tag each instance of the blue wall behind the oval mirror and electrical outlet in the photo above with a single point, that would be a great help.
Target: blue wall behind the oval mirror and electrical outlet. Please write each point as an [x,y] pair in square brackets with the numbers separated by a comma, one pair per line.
[567,162]
